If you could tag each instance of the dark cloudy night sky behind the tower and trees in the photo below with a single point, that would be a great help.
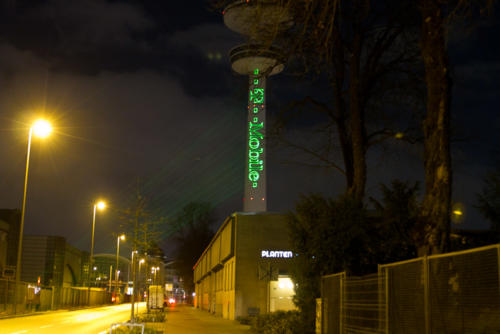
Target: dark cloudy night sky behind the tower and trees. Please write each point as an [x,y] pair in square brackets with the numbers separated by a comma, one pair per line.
[141,92]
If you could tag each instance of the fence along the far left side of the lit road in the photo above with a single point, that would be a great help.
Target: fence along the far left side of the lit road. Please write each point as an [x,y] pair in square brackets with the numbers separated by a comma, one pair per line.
[31,298]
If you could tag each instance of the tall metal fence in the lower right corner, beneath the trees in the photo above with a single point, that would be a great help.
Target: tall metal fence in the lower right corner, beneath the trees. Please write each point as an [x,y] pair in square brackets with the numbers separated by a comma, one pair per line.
[449,293]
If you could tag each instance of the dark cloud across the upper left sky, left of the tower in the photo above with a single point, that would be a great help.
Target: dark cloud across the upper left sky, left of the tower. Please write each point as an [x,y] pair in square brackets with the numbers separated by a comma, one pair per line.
[90,37]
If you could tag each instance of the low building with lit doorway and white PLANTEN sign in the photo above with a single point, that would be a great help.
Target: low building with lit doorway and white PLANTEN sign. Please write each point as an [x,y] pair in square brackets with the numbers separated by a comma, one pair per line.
[245,268]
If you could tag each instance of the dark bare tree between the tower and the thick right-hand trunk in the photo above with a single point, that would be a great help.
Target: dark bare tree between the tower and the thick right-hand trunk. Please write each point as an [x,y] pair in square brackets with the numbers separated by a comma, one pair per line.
[368,53]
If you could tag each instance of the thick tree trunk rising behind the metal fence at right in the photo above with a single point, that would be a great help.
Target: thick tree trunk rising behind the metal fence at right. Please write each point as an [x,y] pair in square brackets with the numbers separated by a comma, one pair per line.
[437,160]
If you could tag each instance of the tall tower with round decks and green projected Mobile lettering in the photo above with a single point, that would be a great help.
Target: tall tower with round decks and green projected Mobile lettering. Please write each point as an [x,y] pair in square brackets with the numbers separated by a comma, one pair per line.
[258,60]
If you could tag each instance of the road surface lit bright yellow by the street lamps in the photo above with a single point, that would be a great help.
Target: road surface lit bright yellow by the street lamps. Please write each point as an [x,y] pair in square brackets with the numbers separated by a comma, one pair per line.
[88,321]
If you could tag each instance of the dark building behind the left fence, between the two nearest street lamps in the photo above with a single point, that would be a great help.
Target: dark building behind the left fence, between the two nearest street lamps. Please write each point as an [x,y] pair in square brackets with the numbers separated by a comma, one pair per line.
[51,259]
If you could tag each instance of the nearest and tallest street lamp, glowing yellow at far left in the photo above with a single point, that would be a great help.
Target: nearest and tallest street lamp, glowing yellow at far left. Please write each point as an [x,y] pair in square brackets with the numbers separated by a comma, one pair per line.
[42,129]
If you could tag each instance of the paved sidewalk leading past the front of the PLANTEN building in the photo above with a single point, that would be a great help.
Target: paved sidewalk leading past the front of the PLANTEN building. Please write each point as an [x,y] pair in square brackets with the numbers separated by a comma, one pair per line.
[183,319]
